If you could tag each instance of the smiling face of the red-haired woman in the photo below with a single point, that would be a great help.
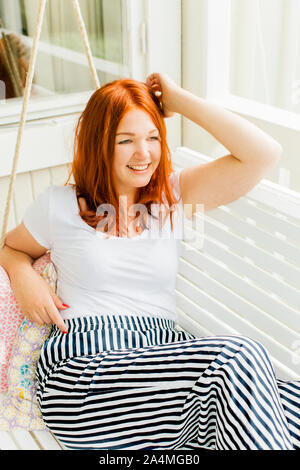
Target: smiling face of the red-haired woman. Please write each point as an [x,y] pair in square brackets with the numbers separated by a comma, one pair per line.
[137,143]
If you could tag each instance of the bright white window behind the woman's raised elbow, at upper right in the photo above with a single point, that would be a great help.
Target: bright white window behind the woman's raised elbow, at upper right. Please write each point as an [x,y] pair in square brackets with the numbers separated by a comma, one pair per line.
[248,61]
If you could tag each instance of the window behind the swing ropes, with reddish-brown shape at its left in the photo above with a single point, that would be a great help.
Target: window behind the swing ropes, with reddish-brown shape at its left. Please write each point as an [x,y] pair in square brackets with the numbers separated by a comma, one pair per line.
[61,69]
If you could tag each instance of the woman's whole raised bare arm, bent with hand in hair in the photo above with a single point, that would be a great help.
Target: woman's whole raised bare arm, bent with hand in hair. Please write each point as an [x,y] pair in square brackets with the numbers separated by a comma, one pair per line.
[253,153]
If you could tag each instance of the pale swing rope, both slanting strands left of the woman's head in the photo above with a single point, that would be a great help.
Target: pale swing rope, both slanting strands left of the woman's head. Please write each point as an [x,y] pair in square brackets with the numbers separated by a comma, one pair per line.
[27,91]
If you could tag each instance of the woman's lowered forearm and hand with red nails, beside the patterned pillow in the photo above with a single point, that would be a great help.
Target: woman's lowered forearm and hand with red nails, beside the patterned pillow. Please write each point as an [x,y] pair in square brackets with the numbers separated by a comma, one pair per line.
[37,300]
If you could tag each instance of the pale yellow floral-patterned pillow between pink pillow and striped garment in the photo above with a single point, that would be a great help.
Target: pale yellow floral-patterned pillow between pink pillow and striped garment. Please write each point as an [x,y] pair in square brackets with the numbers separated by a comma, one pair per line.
[19,408]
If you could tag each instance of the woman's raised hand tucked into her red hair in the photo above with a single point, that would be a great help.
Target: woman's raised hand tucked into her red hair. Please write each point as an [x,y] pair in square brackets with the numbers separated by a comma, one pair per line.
[165,89]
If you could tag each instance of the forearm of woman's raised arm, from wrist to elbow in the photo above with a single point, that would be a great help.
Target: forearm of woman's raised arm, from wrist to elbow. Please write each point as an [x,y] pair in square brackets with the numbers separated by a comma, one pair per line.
[244,140]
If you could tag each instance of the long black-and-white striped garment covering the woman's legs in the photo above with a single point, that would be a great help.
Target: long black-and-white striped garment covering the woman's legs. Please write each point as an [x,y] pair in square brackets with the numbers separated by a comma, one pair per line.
[118,382]
